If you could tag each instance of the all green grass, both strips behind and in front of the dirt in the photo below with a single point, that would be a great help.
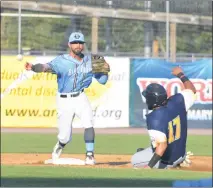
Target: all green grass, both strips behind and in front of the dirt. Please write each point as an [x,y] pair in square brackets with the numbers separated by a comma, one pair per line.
[90,177]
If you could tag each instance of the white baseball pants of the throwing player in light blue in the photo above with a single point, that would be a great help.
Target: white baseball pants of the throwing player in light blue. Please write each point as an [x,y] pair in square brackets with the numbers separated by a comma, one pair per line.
[67,108]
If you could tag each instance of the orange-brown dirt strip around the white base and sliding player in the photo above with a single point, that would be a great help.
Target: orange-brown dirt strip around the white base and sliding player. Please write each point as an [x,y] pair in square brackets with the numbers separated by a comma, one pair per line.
[199,163]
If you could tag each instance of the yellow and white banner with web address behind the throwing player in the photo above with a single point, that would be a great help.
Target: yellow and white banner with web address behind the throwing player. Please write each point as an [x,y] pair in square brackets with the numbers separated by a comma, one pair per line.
[28,99]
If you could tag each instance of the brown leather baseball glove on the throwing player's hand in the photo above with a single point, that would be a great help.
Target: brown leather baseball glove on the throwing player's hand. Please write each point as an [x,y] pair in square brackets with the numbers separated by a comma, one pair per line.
[99,65]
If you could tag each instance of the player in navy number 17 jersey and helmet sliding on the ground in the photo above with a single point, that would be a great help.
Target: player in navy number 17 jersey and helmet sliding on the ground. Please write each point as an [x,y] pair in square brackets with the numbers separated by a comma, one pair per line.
[167,125]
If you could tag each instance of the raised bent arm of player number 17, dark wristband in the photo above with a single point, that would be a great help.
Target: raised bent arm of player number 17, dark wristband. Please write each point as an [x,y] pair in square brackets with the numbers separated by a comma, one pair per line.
[189,91]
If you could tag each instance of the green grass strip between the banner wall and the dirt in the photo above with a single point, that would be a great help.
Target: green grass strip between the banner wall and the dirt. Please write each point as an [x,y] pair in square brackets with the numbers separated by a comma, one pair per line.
[105,144]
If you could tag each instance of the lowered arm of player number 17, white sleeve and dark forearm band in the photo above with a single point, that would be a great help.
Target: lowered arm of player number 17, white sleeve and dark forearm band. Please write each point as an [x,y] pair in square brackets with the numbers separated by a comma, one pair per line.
[159,141]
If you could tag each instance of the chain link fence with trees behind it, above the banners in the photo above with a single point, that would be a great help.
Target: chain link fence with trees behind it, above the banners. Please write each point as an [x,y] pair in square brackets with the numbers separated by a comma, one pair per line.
[47,32]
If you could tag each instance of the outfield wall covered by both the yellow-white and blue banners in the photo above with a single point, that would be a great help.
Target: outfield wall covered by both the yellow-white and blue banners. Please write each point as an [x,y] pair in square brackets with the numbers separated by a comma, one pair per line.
[31,102]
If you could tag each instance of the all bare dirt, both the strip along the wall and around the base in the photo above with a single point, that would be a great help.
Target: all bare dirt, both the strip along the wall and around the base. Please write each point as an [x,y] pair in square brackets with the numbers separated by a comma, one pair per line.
[199,163]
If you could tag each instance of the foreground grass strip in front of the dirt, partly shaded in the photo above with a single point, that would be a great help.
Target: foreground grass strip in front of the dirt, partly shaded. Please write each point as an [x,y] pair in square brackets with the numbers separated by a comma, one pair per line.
[69,176]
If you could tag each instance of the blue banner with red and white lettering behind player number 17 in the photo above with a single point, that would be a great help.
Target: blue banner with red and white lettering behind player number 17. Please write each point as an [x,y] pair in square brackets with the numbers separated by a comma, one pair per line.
[144,72]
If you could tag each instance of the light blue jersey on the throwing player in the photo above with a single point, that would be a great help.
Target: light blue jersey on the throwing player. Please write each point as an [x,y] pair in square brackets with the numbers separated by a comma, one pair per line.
[73,75]
